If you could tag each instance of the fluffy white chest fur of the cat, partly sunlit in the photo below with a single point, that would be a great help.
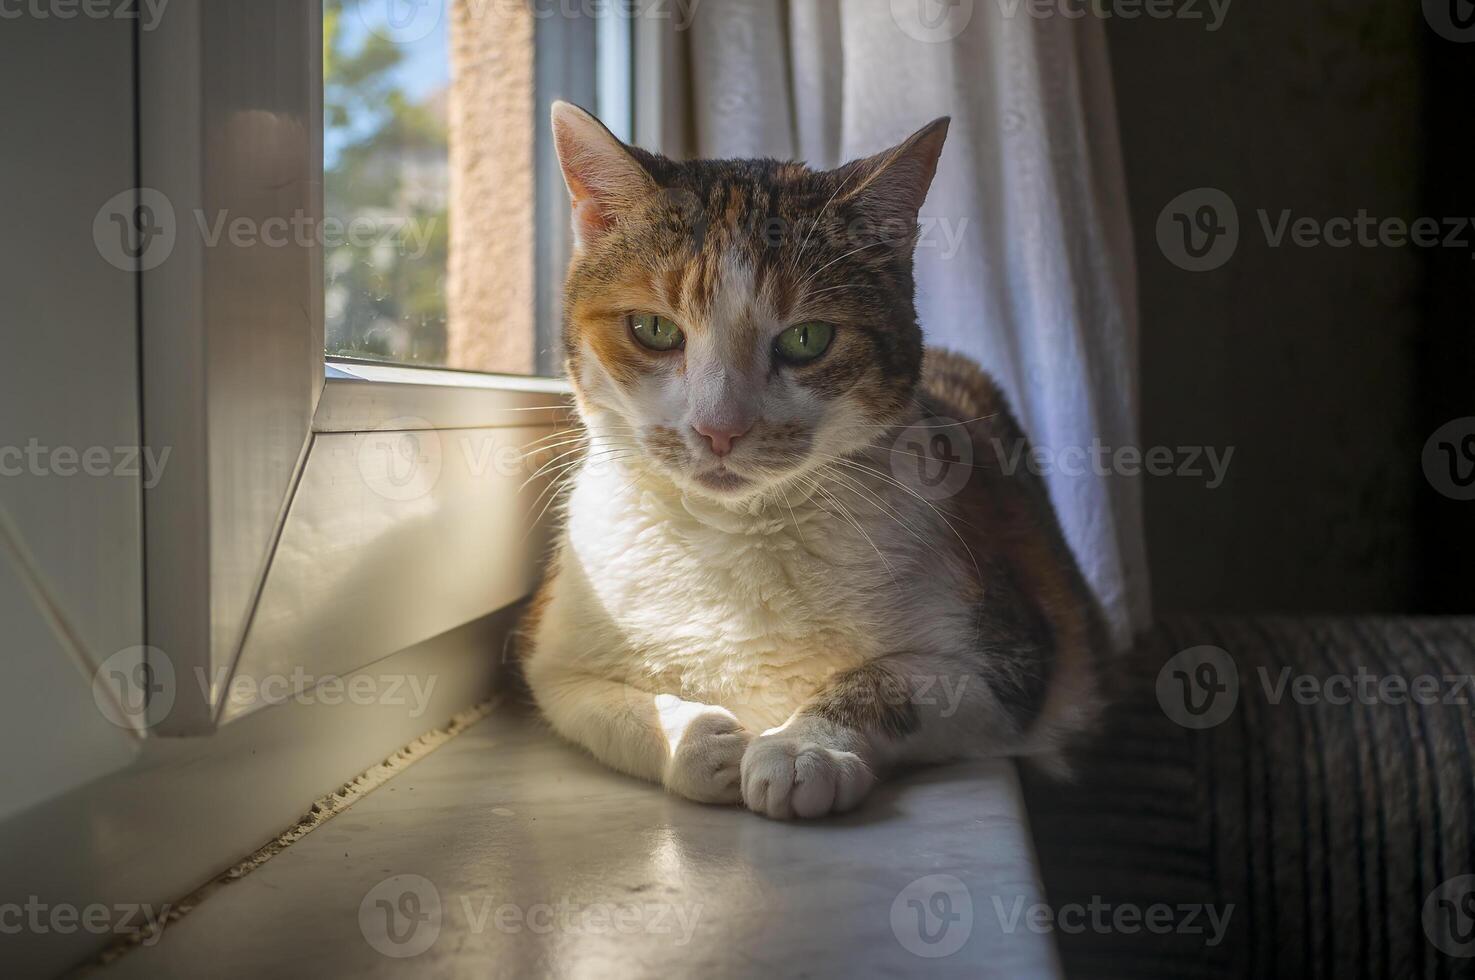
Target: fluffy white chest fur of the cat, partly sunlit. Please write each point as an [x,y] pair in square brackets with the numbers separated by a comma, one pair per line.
[752,610]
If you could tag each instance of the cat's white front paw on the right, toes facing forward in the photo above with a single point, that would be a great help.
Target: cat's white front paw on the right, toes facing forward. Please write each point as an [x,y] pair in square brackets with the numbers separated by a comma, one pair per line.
[784,777]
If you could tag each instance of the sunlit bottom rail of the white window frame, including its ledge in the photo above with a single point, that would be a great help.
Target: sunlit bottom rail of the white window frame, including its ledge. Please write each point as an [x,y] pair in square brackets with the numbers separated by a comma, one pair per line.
[414,513]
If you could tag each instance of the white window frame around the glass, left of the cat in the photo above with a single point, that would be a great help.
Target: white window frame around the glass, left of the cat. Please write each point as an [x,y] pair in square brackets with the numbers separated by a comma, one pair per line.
[259,421]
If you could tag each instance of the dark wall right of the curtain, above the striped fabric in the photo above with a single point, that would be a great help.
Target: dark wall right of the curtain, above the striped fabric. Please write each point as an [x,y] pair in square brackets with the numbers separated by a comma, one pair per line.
[1322,367]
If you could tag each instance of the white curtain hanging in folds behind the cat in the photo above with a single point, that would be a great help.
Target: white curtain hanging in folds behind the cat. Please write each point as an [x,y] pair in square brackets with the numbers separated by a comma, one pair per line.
[1026,260]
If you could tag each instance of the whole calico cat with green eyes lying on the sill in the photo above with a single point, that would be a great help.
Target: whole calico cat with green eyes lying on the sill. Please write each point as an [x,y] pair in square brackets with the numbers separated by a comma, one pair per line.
[753,600]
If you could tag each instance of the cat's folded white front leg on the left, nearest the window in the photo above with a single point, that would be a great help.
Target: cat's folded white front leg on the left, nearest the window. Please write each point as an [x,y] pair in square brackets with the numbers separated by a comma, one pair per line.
[694,750]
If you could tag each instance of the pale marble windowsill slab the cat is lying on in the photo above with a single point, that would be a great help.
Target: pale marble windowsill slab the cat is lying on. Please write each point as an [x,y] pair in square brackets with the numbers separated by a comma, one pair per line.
[604,874]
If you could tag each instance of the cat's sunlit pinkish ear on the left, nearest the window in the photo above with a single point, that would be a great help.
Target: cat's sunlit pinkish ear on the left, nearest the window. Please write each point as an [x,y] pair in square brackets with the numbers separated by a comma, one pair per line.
[603,178]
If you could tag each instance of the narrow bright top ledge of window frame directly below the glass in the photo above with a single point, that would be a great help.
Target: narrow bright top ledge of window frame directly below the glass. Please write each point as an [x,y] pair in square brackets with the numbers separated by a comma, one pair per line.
[364,396]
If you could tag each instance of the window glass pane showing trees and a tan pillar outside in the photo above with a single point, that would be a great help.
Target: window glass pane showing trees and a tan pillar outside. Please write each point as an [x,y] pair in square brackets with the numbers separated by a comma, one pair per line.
[445,218]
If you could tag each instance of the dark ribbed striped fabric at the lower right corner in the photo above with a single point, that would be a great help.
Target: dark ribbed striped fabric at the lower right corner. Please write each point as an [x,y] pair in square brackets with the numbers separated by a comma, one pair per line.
[1327,826]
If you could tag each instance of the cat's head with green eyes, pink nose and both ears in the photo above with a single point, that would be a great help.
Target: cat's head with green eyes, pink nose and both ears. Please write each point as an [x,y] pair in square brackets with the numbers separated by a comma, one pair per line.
[735,324]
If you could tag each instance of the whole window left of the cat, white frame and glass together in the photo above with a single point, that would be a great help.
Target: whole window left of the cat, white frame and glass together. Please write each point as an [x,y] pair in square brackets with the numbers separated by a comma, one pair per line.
[414,154]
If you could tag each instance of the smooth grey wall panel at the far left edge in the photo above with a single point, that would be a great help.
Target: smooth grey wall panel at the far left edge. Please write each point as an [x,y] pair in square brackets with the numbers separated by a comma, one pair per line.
[72,560]
